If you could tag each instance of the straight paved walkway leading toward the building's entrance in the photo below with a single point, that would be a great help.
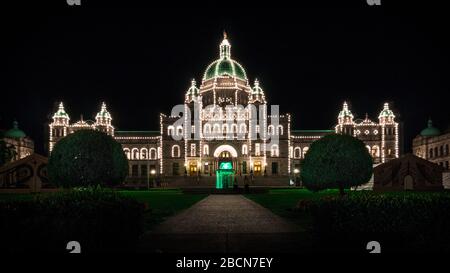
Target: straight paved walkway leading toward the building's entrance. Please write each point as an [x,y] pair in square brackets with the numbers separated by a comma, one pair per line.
[223,223]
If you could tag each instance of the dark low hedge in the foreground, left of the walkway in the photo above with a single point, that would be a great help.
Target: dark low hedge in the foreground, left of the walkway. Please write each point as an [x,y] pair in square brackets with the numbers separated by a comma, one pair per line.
[99,220]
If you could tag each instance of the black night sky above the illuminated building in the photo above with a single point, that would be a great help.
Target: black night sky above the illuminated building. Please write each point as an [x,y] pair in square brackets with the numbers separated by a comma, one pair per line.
[140,61]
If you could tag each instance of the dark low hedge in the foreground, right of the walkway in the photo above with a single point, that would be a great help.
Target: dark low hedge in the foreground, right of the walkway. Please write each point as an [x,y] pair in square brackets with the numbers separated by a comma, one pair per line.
[407,221]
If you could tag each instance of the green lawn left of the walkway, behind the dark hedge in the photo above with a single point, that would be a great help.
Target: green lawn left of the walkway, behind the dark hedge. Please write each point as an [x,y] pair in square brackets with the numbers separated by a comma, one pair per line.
[162,203]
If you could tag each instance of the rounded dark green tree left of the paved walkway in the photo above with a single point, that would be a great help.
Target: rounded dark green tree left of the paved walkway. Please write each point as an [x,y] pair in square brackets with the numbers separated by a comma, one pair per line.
[86,158]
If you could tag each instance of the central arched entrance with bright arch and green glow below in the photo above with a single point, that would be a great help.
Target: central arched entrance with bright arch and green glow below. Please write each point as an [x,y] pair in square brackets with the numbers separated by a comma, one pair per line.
[226,157]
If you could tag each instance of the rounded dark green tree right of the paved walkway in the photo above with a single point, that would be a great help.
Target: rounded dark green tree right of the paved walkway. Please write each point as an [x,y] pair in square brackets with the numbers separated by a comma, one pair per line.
[336,161]
